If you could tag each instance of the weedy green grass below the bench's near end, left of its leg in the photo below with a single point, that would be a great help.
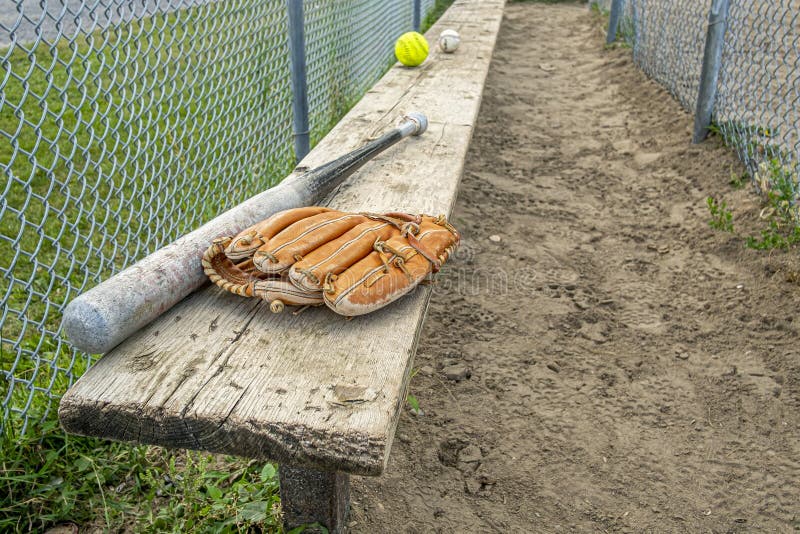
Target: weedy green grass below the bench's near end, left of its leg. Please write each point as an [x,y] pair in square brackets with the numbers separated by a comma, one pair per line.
[54,478]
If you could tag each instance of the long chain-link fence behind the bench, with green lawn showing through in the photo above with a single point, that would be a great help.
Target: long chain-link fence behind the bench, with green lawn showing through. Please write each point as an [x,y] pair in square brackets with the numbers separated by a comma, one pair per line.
[124,124]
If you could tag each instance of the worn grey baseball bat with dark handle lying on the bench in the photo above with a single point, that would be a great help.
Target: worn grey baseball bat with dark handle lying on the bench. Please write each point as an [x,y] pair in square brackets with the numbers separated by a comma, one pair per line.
[100,319]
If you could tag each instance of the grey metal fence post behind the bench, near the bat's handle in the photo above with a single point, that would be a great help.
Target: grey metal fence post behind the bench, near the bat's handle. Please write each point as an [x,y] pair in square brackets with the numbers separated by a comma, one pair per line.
[297,51]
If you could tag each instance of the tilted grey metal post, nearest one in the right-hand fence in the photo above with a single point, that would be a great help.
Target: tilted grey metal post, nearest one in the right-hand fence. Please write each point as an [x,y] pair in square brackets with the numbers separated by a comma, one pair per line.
[712,59]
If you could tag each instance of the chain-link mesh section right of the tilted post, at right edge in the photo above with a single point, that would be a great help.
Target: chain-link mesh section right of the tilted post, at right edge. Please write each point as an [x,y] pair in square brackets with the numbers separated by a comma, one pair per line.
[757,108]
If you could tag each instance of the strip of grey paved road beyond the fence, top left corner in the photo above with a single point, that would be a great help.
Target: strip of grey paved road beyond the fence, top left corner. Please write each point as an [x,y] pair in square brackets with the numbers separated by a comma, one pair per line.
[66,18]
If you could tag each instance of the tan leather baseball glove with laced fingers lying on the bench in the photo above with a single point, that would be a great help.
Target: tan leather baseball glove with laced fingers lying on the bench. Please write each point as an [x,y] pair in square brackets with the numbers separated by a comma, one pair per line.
[354,263]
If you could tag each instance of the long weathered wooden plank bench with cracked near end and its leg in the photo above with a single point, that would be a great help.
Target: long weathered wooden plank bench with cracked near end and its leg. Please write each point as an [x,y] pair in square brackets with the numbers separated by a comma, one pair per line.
[317,393]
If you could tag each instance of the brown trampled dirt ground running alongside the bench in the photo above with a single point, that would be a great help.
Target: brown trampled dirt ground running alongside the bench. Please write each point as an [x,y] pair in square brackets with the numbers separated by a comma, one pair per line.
[631,369]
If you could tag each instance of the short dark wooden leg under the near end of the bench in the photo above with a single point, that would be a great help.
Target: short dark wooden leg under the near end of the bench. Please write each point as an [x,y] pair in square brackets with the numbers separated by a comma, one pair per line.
[310,496]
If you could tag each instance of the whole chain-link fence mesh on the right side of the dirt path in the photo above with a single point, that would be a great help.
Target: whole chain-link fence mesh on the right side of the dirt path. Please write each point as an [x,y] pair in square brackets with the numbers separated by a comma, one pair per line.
[756,107]
